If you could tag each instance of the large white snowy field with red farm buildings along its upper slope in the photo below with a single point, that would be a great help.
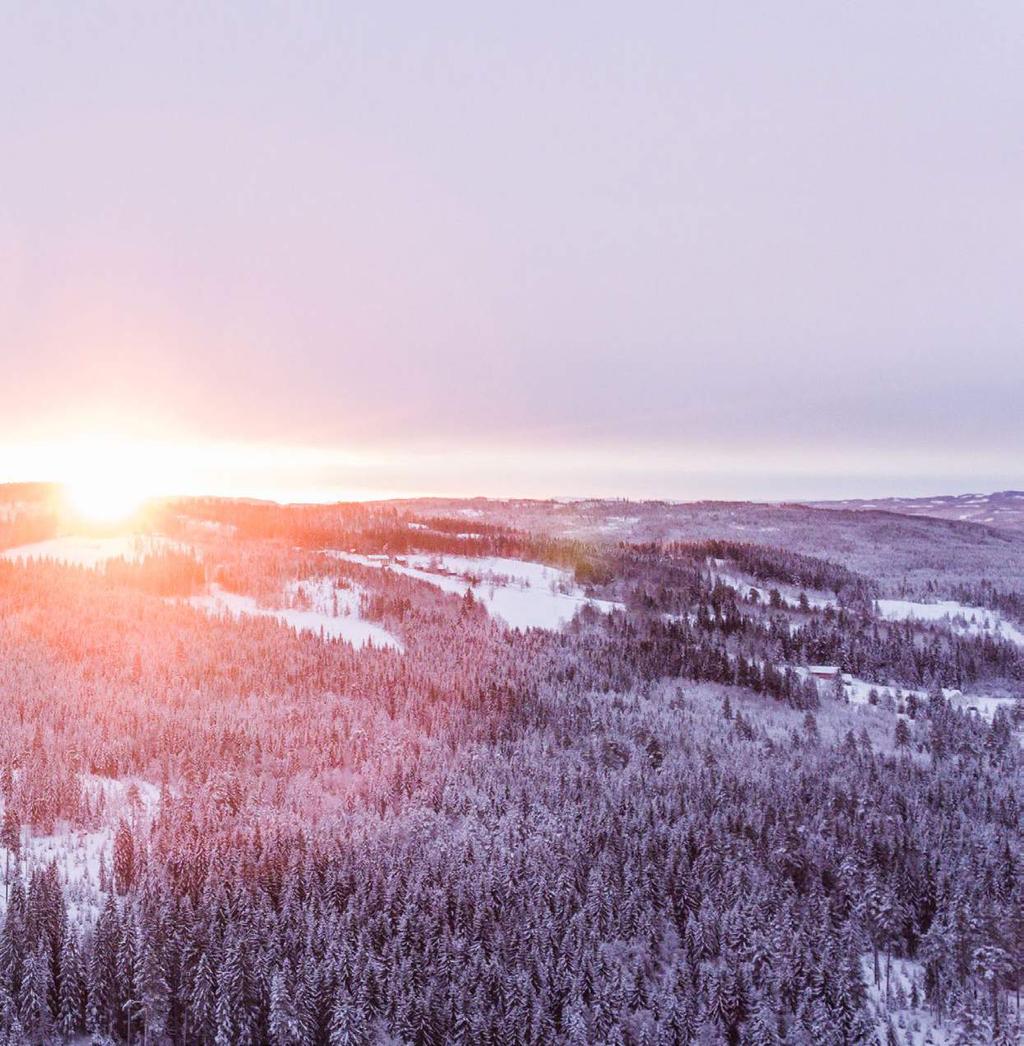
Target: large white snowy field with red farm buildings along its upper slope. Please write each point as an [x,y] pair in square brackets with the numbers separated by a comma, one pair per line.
[522,595]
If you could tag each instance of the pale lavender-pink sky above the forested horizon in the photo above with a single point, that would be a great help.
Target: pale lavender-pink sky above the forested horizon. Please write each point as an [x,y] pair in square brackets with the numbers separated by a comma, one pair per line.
[676,251]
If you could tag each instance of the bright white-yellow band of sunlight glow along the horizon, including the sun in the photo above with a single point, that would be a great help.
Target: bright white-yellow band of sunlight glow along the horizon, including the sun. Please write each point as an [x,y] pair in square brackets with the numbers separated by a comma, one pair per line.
[108,477]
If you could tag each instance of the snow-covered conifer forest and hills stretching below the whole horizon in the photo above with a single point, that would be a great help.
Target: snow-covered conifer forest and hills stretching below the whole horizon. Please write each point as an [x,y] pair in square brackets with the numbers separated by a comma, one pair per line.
[511,774]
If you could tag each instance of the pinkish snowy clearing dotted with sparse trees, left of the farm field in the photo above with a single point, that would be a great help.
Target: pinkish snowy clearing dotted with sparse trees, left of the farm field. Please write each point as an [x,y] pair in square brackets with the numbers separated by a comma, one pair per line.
[317,607]
